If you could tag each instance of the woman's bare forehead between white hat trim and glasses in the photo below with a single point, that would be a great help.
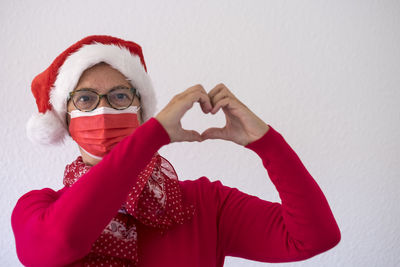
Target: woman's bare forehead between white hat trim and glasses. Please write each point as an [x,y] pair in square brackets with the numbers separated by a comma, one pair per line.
[102,77]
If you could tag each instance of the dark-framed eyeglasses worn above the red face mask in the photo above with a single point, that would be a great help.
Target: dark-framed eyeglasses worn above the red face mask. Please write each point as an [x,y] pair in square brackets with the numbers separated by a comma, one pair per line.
[118,98]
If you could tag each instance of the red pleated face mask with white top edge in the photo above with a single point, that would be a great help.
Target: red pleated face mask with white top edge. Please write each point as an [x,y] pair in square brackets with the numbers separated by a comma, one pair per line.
[98,131]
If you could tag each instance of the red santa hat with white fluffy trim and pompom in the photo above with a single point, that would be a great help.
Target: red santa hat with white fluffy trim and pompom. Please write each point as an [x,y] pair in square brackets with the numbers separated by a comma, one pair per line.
[52,87]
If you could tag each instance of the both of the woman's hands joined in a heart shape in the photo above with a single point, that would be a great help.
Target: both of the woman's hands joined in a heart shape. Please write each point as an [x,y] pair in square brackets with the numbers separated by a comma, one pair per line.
[242,126]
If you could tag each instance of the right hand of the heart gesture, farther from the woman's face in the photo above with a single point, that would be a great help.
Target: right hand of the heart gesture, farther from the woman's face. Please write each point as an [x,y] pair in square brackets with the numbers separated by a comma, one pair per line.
[242,125]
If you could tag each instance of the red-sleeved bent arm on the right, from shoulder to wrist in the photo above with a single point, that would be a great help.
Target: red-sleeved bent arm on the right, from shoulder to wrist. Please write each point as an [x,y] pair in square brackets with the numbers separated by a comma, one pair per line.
[299,228]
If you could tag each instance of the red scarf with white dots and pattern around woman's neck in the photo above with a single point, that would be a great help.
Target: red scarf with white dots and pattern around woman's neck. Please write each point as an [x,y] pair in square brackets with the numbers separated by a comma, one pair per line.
[155,200]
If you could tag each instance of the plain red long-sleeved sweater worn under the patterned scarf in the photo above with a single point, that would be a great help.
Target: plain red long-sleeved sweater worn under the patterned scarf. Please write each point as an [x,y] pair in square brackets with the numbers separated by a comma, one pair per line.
[57,228]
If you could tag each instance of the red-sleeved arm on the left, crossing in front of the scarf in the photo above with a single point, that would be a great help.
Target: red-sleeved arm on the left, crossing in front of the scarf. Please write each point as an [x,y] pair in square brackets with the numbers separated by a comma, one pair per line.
[53,229]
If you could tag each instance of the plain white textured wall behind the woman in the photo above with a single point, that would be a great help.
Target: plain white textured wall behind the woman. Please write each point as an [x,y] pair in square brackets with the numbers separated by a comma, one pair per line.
[325,74]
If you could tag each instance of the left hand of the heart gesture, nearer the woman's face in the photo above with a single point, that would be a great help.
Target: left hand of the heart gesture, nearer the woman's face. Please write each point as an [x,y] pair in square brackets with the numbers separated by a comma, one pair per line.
[170,116]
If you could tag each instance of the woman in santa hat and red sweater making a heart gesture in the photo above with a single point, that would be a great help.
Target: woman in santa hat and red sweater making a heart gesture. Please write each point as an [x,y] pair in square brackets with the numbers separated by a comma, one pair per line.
[122,203]
